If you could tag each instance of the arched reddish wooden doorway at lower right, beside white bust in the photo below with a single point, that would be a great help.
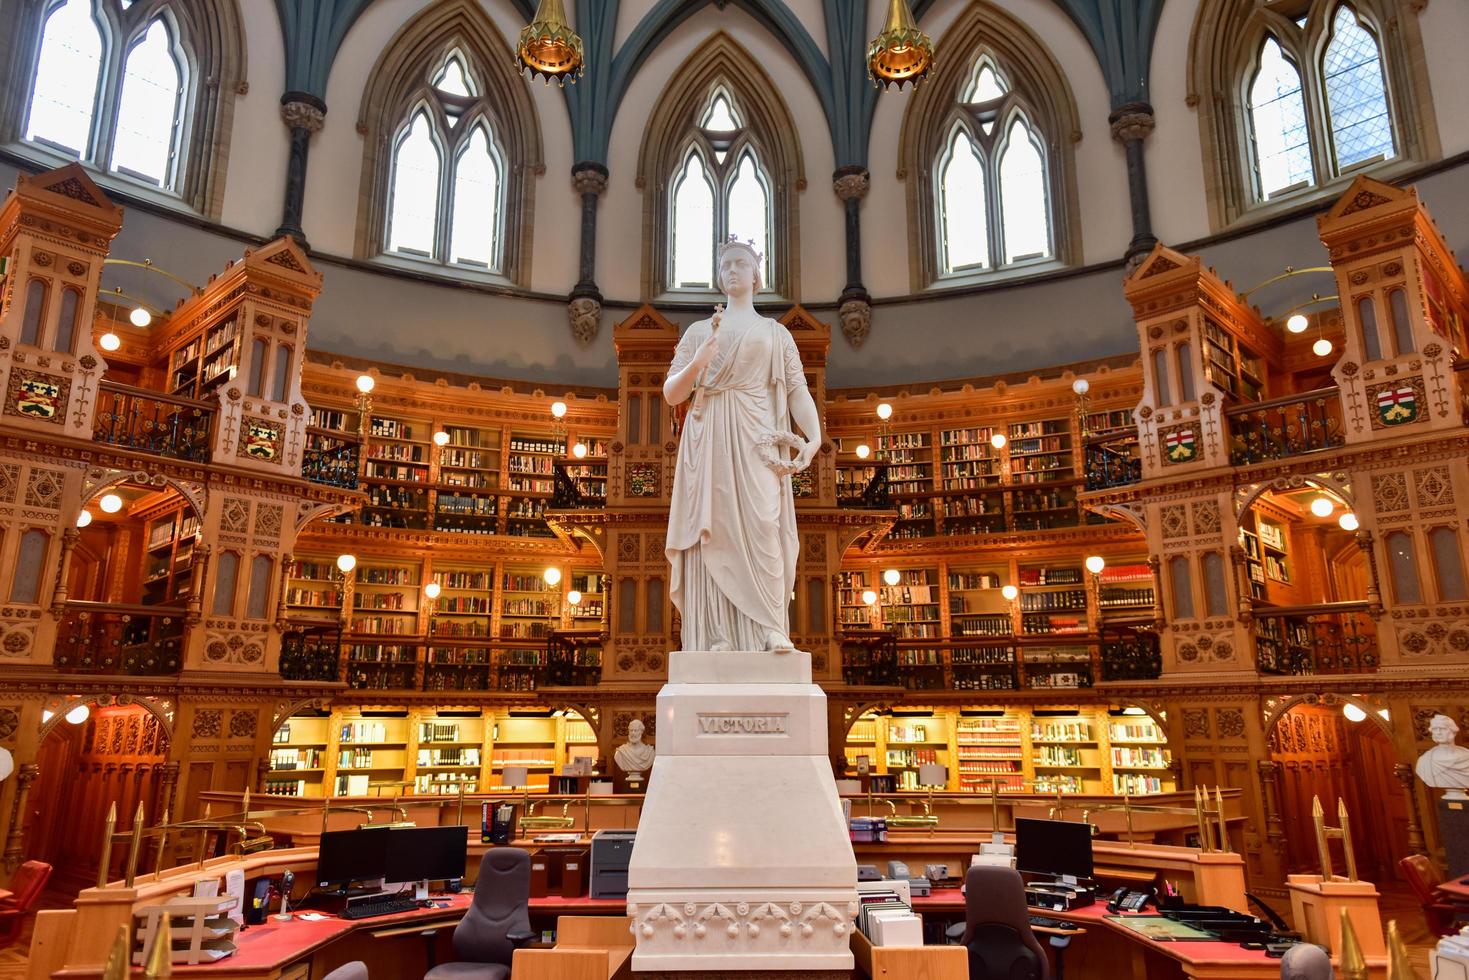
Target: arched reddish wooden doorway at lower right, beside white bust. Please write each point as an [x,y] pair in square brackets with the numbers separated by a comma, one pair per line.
[1339,752]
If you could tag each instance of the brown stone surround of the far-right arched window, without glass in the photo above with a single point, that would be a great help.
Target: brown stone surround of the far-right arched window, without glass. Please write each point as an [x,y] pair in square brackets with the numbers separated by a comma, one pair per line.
[1223,51]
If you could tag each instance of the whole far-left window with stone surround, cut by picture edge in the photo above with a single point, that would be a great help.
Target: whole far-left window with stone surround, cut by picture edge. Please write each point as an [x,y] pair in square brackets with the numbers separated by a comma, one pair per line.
[143,89]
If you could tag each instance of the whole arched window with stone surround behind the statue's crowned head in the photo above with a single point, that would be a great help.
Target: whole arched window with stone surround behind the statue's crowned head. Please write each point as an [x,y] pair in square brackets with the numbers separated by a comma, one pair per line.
[721,158]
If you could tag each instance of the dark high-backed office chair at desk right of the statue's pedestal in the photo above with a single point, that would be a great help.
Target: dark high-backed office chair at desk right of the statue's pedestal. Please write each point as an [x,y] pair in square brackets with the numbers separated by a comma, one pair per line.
[997,928]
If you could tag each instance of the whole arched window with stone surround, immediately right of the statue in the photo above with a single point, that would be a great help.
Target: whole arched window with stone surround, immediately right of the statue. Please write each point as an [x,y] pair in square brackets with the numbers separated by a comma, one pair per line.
[986,155]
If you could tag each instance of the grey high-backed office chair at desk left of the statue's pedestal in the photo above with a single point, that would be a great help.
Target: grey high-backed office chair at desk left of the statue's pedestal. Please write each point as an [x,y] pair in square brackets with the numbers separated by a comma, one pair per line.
[497,920]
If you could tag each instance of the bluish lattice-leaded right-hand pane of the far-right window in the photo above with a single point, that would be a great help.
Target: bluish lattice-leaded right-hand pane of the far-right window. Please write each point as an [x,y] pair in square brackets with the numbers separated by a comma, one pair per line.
[1357,95]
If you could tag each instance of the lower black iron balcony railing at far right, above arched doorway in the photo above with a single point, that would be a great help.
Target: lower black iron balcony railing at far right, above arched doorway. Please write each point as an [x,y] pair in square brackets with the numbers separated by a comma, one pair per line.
[1332,638]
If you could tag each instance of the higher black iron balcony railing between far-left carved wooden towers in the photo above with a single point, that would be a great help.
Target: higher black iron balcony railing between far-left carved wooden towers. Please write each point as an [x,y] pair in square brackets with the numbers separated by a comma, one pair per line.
[154,422]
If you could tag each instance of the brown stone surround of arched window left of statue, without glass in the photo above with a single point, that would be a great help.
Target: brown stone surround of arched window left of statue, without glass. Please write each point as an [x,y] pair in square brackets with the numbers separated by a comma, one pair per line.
[391,92]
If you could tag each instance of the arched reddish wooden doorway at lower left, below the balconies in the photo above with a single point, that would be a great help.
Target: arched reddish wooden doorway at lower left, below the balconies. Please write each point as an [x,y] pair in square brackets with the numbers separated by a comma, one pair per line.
[112,756]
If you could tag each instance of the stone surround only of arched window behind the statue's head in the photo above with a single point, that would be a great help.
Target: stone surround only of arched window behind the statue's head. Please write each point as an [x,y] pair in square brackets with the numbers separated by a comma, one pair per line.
[722,62]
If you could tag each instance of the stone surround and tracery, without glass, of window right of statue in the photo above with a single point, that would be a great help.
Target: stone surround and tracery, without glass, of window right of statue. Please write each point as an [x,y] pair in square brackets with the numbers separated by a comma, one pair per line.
[1036,89]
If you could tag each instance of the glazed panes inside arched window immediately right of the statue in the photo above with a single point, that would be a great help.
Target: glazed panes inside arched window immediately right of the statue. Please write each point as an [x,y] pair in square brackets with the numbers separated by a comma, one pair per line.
[994,189]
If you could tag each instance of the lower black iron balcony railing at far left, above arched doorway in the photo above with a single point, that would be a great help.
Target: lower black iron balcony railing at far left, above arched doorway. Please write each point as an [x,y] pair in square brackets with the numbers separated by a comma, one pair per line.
[112,638]
